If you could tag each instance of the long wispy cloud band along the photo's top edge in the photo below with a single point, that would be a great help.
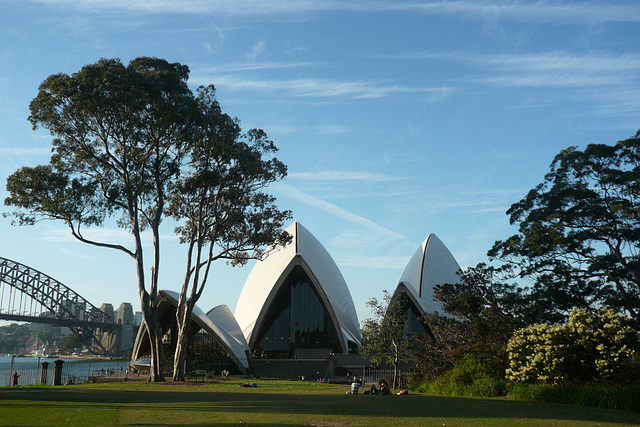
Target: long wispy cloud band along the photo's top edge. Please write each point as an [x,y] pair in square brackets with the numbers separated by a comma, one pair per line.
[540,11]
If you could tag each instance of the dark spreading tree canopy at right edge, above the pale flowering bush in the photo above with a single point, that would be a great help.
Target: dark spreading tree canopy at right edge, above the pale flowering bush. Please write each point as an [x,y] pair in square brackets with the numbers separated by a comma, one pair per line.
[579,230]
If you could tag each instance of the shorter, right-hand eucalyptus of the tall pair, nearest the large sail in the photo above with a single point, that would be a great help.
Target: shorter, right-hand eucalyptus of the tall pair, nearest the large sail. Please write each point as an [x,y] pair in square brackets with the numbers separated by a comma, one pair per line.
[220,199]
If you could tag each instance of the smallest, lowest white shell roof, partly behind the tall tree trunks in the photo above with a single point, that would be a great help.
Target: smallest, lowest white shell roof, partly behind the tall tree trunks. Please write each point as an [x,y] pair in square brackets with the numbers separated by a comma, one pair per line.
[220,323]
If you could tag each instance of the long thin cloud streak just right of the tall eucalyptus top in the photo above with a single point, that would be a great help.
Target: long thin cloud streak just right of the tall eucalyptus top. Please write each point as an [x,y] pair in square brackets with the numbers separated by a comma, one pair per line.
[318,88]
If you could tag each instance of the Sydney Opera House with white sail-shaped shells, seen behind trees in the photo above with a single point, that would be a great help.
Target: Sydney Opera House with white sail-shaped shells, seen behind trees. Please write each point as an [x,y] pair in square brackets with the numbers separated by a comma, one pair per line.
[294,306]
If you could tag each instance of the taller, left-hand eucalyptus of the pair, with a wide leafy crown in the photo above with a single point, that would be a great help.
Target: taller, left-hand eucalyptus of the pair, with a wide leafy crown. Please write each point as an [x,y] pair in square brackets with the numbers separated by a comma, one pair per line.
[119,134]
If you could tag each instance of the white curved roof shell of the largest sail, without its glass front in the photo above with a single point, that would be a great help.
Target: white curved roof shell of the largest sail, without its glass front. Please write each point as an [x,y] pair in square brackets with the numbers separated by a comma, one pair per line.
[269,274]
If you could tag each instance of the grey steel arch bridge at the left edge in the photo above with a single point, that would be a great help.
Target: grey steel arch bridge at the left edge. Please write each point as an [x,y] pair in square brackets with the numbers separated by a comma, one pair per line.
[28,295]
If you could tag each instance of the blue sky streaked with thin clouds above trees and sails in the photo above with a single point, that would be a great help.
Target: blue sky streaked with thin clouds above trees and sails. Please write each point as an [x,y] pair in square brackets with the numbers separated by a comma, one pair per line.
[396,118]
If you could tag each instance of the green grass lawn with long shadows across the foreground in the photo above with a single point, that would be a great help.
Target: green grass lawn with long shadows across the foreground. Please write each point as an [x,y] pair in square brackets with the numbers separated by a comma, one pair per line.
[275,403]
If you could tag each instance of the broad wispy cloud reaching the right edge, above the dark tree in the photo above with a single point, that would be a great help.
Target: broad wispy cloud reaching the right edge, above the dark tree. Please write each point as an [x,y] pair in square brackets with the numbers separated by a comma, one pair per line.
[608,81]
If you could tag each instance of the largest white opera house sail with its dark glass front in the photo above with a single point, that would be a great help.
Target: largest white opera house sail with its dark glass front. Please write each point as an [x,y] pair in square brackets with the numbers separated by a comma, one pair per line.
[295,303]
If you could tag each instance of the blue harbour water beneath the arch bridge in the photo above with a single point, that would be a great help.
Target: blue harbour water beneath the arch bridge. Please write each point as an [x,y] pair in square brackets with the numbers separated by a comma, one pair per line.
[73,370]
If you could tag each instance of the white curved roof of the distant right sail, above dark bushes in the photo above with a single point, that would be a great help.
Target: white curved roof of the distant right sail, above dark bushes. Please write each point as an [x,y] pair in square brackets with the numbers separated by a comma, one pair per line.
[431,264]
